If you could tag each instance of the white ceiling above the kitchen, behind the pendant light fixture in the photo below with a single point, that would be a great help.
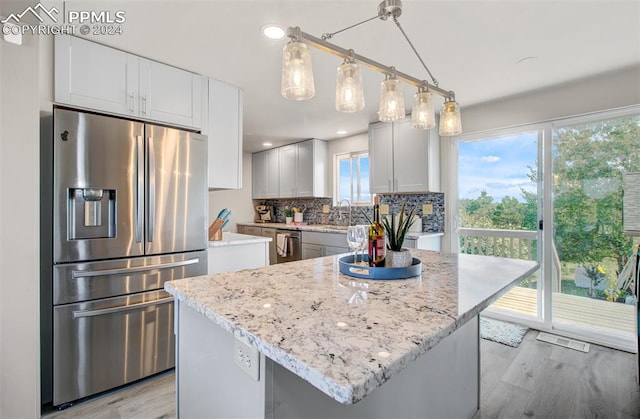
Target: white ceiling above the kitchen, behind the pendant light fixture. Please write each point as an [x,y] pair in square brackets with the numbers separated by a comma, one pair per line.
[472,47]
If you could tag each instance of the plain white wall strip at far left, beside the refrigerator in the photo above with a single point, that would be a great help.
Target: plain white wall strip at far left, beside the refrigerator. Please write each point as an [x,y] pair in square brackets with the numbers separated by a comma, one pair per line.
[19,227]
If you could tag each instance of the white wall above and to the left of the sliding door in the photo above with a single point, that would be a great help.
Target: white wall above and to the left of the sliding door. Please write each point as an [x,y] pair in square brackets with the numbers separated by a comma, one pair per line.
[607,91]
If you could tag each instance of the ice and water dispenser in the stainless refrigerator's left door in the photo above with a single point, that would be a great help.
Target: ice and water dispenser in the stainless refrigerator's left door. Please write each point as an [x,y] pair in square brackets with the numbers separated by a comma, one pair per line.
[92,213]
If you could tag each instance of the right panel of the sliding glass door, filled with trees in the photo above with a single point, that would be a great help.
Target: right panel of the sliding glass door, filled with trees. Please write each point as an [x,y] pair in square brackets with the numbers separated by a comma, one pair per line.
[592,290]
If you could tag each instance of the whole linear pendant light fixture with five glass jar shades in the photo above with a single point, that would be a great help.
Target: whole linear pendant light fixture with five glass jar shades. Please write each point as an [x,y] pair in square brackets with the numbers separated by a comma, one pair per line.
[297,78]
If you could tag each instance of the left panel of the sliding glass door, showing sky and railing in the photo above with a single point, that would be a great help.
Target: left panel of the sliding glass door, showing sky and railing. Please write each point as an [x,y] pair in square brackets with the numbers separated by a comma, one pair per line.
[499,205]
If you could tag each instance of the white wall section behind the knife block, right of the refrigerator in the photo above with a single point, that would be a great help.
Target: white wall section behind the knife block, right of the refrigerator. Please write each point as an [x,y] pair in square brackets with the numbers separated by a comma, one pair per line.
[237,201]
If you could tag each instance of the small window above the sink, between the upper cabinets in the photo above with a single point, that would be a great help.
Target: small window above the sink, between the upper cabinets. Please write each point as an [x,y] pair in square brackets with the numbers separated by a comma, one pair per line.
[352,174]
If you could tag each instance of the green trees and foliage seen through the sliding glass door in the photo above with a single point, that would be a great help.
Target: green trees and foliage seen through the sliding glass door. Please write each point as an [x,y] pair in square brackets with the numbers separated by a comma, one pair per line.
[588,163]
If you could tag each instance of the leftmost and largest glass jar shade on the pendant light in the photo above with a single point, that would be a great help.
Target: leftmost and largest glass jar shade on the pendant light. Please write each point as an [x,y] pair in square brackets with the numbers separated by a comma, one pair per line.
[297,72]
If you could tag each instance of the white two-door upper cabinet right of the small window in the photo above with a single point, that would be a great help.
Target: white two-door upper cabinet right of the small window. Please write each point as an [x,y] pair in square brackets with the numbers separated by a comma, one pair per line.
[403,159]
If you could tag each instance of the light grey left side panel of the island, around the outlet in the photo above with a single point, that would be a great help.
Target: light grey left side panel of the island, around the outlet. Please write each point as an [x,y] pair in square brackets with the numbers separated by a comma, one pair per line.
[209,383]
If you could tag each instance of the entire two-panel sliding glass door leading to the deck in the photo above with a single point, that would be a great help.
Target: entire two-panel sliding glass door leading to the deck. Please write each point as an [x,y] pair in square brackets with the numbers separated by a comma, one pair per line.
[554,193]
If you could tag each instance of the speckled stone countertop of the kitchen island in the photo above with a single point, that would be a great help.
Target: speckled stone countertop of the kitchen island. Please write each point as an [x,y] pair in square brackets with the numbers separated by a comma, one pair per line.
[344,335]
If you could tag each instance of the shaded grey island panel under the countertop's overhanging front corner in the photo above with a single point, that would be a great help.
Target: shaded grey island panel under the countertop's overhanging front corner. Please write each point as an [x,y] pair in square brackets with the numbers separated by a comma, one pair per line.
[443,383]
